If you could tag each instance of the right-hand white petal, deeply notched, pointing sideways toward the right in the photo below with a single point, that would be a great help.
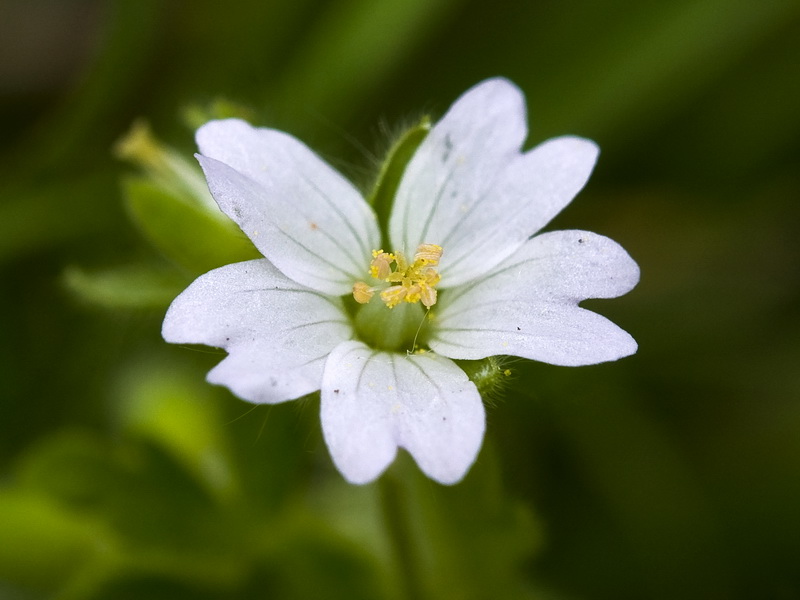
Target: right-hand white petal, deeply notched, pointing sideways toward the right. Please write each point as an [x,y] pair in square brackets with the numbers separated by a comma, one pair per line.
[528,306]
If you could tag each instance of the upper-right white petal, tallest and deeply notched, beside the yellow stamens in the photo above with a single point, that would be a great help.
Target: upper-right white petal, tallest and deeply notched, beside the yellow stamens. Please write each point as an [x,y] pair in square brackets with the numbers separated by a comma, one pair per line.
[470,190]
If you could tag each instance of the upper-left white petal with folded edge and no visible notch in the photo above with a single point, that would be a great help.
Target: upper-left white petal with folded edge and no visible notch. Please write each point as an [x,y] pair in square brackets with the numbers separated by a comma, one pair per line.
[300,213]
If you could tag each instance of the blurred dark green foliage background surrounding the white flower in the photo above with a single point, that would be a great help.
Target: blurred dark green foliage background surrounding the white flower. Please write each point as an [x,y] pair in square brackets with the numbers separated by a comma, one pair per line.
[671,474]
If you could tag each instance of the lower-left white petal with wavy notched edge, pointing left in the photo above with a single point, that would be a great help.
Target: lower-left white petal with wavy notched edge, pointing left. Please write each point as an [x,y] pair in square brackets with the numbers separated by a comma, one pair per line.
[277,333]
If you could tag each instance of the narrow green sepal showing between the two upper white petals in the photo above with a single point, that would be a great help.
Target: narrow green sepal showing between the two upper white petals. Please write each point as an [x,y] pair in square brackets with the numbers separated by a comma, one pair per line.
[381,198]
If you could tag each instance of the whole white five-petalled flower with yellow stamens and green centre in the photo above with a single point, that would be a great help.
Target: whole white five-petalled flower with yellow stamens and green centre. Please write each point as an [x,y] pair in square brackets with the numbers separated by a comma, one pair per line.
[466,209]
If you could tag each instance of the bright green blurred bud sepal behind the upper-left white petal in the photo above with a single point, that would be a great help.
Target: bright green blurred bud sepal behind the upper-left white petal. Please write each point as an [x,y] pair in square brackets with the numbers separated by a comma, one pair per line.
[185,232]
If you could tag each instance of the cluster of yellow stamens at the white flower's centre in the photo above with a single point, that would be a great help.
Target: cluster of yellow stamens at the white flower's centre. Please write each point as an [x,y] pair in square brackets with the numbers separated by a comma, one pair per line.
[410,282]
